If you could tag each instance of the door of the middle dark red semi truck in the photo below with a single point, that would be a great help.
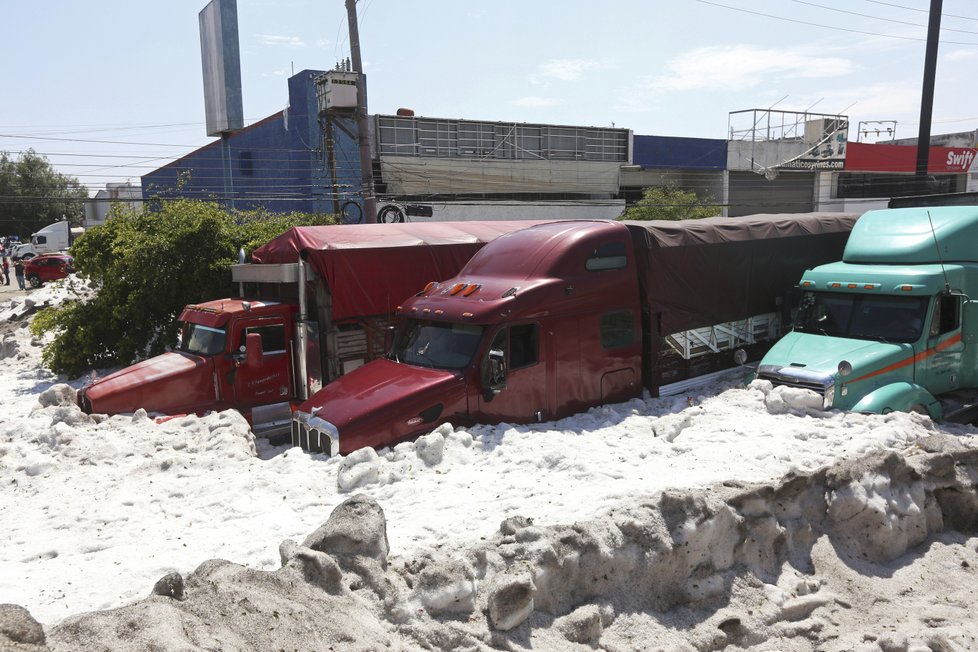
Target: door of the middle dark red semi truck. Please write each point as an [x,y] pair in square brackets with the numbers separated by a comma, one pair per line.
[524,399]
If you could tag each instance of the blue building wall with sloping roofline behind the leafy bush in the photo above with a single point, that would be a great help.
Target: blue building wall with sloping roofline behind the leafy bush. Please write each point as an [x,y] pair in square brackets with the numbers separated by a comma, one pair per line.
[276,163]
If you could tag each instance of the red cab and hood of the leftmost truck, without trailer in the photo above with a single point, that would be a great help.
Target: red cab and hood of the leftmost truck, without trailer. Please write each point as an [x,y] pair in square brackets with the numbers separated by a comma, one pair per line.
[232,353]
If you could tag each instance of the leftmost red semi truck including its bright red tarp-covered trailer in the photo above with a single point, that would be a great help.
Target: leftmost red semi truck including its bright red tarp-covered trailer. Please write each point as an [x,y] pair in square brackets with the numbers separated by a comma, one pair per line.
[284,338]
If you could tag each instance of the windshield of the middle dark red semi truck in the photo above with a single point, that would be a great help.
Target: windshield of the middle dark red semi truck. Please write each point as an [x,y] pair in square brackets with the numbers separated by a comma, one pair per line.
[438,345]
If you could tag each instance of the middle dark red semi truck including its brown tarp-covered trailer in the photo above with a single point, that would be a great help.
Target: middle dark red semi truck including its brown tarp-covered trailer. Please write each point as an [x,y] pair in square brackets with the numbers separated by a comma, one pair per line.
[554,318]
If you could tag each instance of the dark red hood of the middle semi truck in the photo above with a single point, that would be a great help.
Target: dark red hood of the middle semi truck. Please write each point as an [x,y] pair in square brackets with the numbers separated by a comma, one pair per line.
[383,402]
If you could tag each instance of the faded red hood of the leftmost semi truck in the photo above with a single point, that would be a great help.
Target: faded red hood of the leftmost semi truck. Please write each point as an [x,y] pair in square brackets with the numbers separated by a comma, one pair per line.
[171,383]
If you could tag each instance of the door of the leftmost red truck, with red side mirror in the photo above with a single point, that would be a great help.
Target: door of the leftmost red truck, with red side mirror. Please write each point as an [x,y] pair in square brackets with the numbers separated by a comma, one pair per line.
[268,381]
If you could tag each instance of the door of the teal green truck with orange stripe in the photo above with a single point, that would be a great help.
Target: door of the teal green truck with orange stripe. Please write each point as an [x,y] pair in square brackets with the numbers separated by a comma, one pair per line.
[941,370]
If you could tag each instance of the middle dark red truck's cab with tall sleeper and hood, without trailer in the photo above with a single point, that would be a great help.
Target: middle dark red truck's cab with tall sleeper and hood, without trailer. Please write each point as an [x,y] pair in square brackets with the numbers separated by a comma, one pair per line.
[540,324]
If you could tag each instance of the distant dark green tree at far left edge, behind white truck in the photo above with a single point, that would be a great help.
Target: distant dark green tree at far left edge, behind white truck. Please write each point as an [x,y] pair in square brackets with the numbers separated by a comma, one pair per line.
[33,195]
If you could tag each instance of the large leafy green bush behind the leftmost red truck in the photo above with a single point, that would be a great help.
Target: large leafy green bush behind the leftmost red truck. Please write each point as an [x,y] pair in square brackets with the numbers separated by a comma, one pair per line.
[146,266]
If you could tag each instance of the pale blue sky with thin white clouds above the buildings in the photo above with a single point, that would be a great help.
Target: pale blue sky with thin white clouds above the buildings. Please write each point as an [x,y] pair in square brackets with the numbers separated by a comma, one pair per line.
[110,89]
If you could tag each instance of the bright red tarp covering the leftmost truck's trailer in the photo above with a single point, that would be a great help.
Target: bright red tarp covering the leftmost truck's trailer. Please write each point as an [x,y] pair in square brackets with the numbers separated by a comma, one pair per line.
[371,268]
